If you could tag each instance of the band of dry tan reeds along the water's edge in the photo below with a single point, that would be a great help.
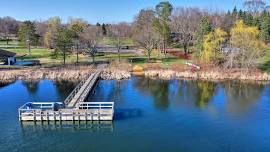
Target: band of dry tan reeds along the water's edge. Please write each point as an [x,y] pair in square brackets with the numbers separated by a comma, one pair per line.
[124,70]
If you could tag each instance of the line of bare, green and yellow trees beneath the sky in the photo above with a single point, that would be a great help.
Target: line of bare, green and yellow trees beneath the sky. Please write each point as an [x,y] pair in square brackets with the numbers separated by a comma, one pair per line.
[233,39]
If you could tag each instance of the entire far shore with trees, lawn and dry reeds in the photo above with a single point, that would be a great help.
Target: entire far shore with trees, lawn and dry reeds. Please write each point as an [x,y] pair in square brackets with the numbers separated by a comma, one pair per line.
[158,43]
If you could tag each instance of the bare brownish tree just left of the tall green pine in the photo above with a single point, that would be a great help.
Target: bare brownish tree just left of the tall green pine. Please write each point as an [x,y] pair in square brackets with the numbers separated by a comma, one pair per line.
[144,33]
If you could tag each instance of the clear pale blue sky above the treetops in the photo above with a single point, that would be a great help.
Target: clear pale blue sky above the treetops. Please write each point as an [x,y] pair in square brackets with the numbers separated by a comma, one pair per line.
[103,11]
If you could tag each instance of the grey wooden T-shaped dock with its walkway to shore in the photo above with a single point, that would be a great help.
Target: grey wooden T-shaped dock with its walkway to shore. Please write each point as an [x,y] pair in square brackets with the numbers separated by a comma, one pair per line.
[73,108]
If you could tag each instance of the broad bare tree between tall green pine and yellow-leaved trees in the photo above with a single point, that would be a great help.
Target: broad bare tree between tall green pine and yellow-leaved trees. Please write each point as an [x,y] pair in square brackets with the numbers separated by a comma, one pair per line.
[184,23]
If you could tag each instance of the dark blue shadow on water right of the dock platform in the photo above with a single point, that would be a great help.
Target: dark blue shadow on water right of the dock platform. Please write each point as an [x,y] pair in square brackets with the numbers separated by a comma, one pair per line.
[123,114]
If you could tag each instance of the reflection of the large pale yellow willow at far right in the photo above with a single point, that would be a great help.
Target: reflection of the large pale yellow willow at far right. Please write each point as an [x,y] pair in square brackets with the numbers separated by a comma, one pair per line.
[241,96]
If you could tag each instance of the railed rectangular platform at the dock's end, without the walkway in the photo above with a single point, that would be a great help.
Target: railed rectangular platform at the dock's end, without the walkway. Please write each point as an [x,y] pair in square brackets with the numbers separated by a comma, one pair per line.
[39,111]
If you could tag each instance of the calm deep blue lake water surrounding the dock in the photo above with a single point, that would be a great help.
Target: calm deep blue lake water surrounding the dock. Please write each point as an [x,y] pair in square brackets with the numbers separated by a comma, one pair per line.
[150,115]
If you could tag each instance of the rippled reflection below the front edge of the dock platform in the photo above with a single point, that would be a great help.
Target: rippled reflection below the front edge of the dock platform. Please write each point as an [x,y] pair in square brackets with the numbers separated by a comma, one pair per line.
[91,126]
